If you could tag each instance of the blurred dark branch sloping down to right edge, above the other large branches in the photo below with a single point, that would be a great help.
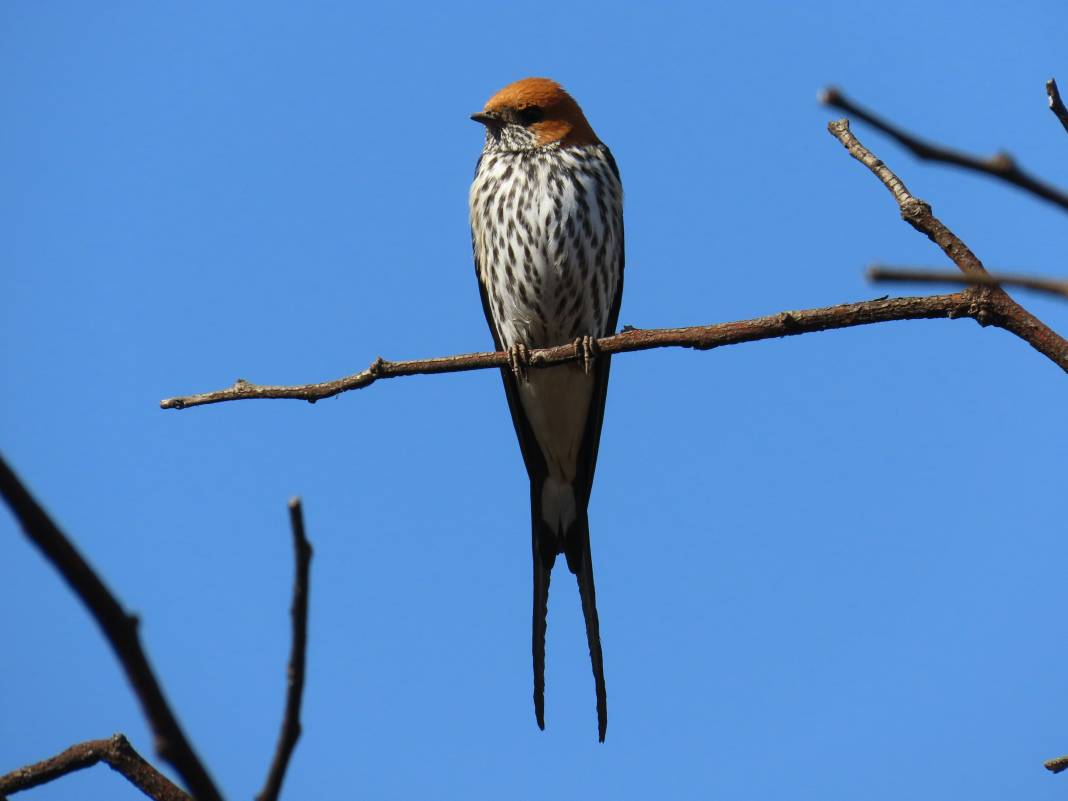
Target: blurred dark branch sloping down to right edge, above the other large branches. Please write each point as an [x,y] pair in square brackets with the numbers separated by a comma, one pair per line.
[1000,166]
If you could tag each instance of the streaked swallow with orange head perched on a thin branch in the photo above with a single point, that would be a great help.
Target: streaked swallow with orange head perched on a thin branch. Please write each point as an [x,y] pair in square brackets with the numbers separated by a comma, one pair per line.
[546,209]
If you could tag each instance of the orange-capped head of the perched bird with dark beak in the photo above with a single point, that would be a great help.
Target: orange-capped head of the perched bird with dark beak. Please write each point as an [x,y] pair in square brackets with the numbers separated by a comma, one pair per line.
[533,114]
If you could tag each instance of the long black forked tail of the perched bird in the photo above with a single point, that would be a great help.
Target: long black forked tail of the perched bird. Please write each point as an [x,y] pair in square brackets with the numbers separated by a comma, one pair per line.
[576,547]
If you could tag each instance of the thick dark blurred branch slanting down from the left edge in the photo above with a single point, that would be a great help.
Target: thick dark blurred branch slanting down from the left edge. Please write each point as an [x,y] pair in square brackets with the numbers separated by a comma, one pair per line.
[120,629]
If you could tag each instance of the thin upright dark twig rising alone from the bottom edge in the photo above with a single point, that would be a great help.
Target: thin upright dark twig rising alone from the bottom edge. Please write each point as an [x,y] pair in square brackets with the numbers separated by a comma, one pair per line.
[295,674]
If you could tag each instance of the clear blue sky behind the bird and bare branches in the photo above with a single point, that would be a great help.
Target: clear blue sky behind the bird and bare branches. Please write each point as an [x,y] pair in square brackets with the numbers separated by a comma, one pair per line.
[830,568]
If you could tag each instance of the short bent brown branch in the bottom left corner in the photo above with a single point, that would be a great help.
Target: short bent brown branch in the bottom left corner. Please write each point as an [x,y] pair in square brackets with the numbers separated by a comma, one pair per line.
[116,751]
